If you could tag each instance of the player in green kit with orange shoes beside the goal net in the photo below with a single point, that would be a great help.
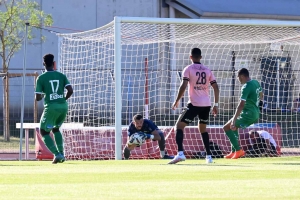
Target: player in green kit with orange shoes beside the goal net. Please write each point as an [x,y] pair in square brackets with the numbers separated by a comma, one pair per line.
[247,112]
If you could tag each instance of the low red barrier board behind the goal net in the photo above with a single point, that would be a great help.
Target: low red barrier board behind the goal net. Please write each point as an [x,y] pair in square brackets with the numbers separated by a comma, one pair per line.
[100,144]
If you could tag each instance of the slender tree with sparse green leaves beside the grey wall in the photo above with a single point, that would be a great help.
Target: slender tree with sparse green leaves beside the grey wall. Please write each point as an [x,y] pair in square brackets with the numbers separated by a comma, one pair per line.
[13,16]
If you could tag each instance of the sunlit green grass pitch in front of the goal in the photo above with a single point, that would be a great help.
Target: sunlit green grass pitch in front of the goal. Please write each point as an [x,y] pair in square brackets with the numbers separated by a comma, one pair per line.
[246,178]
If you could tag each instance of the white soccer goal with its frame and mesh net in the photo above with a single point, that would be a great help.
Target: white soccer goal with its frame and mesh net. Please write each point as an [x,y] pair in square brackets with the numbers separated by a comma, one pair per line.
[134,65]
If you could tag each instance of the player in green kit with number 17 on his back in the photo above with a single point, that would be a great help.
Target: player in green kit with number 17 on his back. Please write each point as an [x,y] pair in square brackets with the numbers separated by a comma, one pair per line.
[51,85]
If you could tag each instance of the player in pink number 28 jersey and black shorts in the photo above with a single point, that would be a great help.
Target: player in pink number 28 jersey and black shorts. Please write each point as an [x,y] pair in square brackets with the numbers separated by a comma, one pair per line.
[199,79]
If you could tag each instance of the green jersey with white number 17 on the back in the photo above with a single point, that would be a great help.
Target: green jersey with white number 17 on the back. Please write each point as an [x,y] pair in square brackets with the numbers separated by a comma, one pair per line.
[52,84]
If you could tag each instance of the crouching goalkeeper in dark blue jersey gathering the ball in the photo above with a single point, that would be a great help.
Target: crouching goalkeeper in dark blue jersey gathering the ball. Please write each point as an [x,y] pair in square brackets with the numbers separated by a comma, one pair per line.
[149,131]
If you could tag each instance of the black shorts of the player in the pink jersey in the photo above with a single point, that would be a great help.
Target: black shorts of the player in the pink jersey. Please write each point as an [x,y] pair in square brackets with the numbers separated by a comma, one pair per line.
[190,112]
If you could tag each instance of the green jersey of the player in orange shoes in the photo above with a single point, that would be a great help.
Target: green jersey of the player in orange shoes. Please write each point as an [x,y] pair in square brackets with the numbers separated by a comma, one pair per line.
[251,94]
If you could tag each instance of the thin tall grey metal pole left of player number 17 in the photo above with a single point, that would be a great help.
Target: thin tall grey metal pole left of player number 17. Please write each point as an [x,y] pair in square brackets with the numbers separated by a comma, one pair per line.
[23,89]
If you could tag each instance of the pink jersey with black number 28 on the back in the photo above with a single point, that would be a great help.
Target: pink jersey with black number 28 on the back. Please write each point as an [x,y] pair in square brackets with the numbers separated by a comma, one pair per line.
[200,78]
